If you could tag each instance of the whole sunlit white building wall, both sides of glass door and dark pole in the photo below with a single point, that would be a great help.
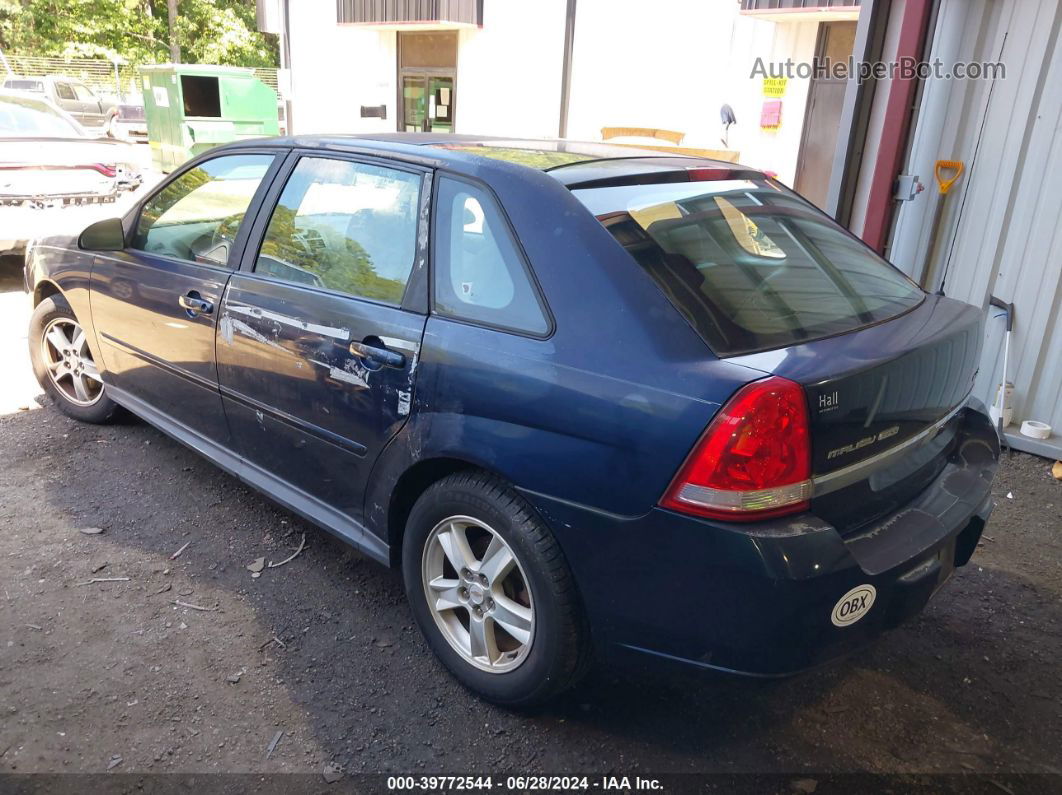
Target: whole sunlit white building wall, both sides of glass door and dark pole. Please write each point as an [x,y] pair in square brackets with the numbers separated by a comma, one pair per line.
[669,65]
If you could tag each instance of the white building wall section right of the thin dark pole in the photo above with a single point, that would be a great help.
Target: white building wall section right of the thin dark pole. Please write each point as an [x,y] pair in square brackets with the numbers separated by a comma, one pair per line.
[674,64]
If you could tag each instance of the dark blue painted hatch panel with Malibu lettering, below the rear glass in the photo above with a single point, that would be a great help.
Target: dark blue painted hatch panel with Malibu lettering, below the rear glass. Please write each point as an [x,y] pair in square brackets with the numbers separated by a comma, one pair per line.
[882,405]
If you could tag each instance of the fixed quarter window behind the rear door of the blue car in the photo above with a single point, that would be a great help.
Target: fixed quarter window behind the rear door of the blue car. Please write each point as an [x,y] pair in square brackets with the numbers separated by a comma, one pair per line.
[481,275]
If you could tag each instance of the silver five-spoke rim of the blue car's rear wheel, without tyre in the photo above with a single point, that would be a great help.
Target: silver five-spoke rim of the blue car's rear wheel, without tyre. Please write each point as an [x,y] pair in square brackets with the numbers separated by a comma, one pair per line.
[478,595]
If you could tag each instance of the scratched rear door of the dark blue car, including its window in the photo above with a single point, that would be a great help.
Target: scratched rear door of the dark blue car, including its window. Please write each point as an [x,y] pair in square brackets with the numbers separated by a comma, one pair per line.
[320,332]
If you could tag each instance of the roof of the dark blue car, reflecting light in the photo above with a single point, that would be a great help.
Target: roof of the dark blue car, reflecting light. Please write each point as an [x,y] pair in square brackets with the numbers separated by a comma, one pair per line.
[574,164]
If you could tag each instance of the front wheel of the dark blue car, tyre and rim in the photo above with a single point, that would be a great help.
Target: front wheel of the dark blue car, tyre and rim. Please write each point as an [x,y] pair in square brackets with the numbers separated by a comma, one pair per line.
[64,364]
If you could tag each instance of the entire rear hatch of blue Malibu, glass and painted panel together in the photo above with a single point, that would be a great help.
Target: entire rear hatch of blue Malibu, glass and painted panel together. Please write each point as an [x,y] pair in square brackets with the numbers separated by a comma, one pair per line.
[770,282]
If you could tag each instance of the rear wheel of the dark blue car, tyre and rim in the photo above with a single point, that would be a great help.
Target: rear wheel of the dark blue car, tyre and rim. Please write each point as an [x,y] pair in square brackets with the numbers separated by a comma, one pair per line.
[492,593]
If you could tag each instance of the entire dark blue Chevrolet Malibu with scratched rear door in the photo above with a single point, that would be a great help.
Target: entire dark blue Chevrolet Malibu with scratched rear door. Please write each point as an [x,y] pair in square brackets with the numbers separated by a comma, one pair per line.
[594,402]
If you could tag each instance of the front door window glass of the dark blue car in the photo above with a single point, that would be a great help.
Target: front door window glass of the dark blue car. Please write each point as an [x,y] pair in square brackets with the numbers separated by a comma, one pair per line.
[197,216]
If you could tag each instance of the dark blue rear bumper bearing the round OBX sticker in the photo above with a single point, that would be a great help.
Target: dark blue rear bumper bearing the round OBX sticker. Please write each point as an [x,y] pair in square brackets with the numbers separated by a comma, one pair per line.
[759,599]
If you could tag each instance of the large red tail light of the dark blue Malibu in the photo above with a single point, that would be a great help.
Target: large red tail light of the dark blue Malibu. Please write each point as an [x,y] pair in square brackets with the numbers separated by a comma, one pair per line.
[755,460]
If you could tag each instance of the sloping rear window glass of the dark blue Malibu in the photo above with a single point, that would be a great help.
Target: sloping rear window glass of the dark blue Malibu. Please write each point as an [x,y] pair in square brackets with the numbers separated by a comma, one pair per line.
[751,266]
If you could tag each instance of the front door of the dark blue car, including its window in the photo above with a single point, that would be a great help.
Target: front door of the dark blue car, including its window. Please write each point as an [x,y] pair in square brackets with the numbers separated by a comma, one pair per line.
[155,304]
